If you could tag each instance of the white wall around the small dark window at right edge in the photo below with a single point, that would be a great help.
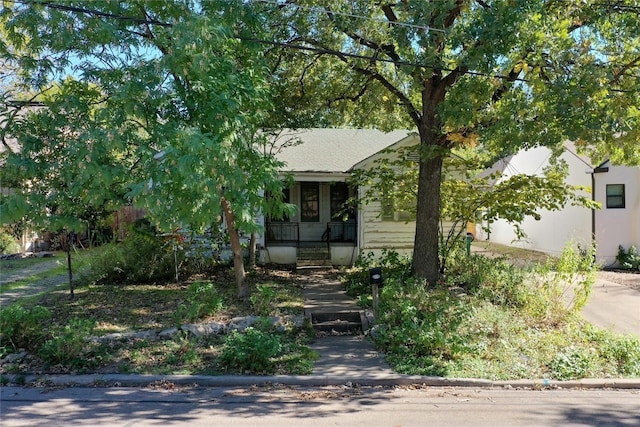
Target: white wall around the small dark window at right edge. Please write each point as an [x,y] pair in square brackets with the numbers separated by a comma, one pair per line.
[617,226]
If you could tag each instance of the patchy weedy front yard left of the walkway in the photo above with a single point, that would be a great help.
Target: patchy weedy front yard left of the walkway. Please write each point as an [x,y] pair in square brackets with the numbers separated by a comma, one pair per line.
[62,345]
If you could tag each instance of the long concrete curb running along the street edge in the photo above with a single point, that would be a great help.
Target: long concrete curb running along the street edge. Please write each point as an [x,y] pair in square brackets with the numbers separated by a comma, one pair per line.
[121,380]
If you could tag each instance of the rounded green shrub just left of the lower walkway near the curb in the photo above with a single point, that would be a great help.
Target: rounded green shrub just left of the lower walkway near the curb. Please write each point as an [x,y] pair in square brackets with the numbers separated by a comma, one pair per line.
[251,351]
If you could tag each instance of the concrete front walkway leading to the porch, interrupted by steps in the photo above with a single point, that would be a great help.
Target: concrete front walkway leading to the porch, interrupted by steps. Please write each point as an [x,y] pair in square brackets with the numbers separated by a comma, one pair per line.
[340,355]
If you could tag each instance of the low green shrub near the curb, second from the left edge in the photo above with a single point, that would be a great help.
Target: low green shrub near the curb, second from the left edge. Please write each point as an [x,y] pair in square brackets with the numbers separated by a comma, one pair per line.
[68,344]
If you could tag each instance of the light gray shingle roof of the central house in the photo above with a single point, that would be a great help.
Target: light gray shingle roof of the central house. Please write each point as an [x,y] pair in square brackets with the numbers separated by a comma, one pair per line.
[334,150]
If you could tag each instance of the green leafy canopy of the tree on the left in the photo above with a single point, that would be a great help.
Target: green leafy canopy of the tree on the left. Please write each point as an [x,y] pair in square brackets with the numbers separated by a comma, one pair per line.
[160,110]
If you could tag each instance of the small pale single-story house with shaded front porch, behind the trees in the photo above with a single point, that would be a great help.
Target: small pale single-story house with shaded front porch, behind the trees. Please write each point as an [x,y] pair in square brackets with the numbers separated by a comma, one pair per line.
[321,231]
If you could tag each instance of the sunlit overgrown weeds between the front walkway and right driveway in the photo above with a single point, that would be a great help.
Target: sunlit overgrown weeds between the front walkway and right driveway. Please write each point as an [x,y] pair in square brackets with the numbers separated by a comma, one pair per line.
[487,318]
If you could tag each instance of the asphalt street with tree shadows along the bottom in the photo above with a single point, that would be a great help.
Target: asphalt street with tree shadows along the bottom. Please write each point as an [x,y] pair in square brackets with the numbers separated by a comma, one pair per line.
[286,406]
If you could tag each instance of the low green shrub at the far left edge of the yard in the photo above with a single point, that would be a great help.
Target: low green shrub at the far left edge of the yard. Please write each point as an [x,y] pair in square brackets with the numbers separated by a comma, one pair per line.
[22,327]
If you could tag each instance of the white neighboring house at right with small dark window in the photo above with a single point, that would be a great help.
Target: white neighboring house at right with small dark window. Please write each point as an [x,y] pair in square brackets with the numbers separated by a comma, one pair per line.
[616,188]
